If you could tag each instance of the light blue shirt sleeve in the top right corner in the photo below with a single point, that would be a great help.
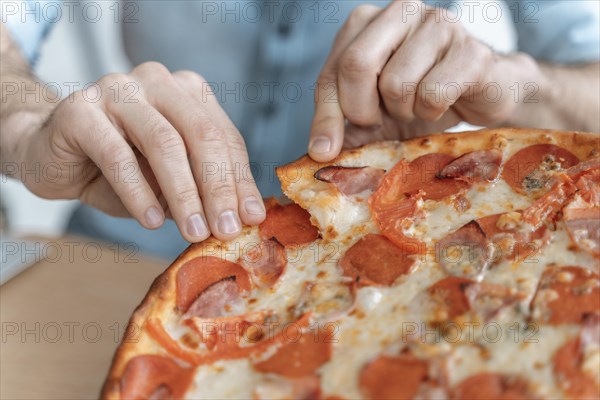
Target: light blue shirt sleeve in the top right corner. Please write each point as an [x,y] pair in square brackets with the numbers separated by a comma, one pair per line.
[560,31]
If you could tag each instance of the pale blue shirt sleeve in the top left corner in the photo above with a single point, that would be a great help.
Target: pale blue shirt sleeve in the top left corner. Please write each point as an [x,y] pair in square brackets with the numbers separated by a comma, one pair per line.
[29,22]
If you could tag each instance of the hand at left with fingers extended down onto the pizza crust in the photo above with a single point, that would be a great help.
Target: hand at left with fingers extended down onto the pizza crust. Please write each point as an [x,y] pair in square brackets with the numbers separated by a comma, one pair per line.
[155,144]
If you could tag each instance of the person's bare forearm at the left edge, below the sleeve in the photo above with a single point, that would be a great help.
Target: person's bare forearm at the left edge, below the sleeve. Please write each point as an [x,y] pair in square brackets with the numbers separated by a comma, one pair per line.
[23,107]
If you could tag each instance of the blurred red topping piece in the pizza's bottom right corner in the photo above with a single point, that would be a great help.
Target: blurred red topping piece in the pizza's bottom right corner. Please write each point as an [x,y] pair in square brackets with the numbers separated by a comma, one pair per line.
[570,362]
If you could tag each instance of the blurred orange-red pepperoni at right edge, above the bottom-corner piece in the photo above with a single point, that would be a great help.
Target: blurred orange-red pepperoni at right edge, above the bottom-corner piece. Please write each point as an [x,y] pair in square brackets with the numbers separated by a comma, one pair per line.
[565,295]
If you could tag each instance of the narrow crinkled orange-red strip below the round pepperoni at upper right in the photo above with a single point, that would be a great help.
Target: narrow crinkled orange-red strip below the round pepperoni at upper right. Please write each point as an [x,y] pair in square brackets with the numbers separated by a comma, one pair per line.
[546,207]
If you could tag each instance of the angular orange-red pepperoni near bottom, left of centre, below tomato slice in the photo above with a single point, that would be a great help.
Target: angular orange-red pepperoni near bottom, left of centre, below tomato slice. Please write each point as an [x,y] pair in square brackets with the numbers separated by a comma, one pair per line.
[301,353]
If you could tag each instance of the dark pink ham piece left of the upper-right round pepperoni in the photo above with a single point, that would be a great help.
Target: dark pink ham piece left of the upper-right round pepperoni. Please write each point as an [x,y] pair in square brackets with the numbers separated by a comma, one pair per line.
[476,166]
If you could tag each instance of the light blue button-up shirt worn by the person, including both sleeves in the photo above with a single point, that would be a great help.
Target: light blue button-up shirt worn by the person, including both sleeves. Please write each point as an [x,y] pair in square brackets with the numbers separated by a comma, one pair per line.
[262,59]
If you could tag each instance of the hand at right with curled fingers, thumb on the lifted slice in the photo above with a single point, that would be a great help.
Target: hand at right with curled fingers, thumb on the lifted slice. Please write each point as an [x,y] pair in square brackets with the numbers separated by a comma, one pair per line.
[408,70]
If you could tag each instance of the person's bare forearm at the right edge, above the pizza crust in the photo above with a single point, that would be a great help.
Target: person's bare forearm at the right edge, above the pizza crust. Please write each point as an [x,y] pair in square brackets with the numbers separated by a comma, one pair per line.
[561,98]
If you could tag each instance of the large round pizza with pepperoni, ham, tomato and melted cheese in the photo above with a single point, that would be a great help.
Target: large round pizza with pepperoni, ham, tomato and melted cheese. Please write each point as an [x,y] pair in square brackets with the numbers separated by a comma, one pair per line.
[459,265]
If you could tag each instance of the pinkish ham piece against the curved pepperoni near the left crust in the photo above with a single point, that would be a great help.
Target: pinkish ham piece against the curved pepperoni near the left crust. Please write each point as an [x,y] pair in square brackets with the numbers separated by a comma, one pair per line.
[220,298]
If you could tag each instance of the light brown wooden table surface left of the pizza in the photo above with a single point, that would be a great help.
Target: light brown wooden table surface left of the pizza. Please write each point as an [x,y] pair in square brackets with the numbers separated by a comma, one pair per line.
[63,318]
